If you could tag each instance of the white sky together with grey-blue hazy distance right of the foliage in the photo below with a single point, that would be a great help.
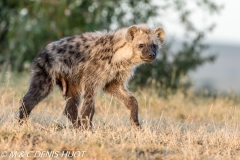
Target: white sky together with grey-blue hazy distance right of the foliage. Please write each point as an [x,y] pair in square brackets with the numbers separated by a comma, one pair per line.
[224,73]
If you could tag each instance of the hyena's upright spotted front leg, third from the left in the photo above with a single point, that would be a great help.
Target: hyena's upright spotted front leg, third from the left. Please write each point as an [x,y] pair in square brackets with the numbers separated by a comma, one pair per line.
[87,106]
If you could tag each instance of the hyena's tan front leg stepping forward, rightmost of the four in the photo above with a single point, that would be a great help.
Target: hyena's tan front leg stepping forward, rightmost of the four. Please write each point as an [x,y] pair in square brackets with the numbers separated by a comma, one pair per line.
[121,93]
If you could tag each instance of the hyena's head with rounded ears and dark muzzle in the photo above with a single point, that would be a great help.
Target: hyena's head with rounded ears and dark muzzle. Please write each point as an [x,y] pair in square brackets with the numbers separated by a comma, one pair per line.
[145,42]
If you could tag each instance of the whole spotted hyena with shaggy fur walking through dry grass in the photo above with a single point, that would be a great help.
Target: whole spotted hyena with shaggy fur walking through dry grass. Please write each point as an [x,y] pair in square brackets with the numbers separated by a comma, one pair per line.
[81,64]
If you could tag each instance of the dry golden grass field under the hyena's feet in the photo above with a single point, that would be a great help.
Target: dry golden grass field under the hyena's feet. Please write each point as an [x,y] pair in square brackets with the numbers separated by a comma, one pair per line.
[179,127]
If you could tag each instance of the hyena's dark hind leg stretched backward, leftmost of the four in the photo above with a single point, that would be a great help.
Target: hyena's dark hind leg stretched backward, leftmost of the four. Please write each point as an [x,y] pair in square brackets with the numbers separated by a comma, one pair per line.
[40,86]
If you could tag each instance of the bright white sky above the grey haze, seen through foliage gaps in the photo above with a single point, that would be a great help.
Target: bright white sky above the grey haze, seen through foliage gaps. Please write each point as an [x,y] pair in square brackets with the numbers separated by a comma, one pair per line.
[227,22]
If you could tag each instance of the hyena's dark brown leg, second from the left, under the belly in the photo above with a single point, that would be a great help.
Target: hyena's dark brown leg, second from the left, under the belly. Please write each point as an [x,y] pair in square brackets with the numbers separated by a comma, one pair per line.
[73,100]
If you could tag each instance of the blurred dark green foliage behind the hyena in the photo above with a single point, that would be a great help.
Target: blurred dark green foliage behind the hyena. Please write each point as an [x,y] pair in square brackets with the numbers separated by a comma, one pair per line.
[27,26]
